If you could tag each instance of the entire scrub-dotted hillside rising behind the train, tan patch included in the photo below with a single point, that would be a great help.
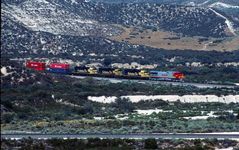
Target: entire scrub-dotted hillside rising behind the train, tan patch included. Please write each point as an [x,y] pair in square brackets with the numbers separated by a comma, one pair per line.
[81,29]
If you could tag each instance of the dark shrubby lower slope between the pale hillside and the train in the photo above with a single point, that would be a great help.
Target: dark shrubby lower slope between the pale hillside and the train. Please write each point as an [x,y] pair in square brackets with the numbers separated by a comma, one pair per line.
[19,40]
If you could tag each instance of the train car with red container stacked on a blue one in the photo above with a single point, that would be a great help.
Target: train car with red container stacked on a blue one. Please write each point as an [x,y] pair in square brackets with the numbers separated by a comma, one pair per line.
[61,68]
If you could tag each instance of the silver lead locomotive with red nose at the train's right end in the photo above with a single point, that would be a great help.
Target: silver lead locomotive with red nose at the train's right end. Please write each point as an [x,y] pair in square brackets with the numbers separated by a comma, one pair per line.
[166,75]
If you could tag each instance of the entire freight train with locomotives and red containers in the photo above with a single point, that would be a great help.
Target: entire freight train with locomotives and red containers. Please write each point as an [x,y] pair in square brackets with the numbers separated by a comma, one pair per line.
[64,68]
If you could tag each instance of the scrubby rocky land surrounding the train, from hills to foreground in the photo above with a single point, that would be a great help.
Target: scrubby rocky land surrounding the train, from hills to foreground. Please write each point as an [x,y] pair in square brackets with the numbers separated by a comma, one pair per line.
[197,38]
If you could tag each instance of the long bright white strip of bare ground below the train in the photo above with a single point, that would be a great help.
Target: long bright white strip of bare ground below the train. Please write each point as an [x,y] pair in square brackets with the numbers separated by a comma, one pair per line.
[170,98]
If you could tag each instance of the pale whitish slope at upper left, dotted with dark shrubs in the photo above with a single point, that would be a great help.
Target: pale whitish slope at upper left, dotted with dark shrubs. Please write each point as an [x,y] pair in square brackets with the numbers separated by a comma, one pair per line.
[50,17]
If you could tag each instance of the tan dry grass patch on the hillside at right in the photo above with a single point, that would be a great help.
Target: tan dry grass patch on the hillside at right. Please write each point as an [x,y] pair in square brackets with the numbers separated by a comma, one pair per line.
[171,41]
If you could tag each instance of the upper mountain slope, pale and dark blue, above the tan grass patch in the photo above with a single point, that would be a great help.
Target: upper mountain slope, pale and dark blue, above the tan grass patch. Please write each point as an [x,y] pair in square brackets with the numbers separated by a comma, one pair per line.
[88,18]
